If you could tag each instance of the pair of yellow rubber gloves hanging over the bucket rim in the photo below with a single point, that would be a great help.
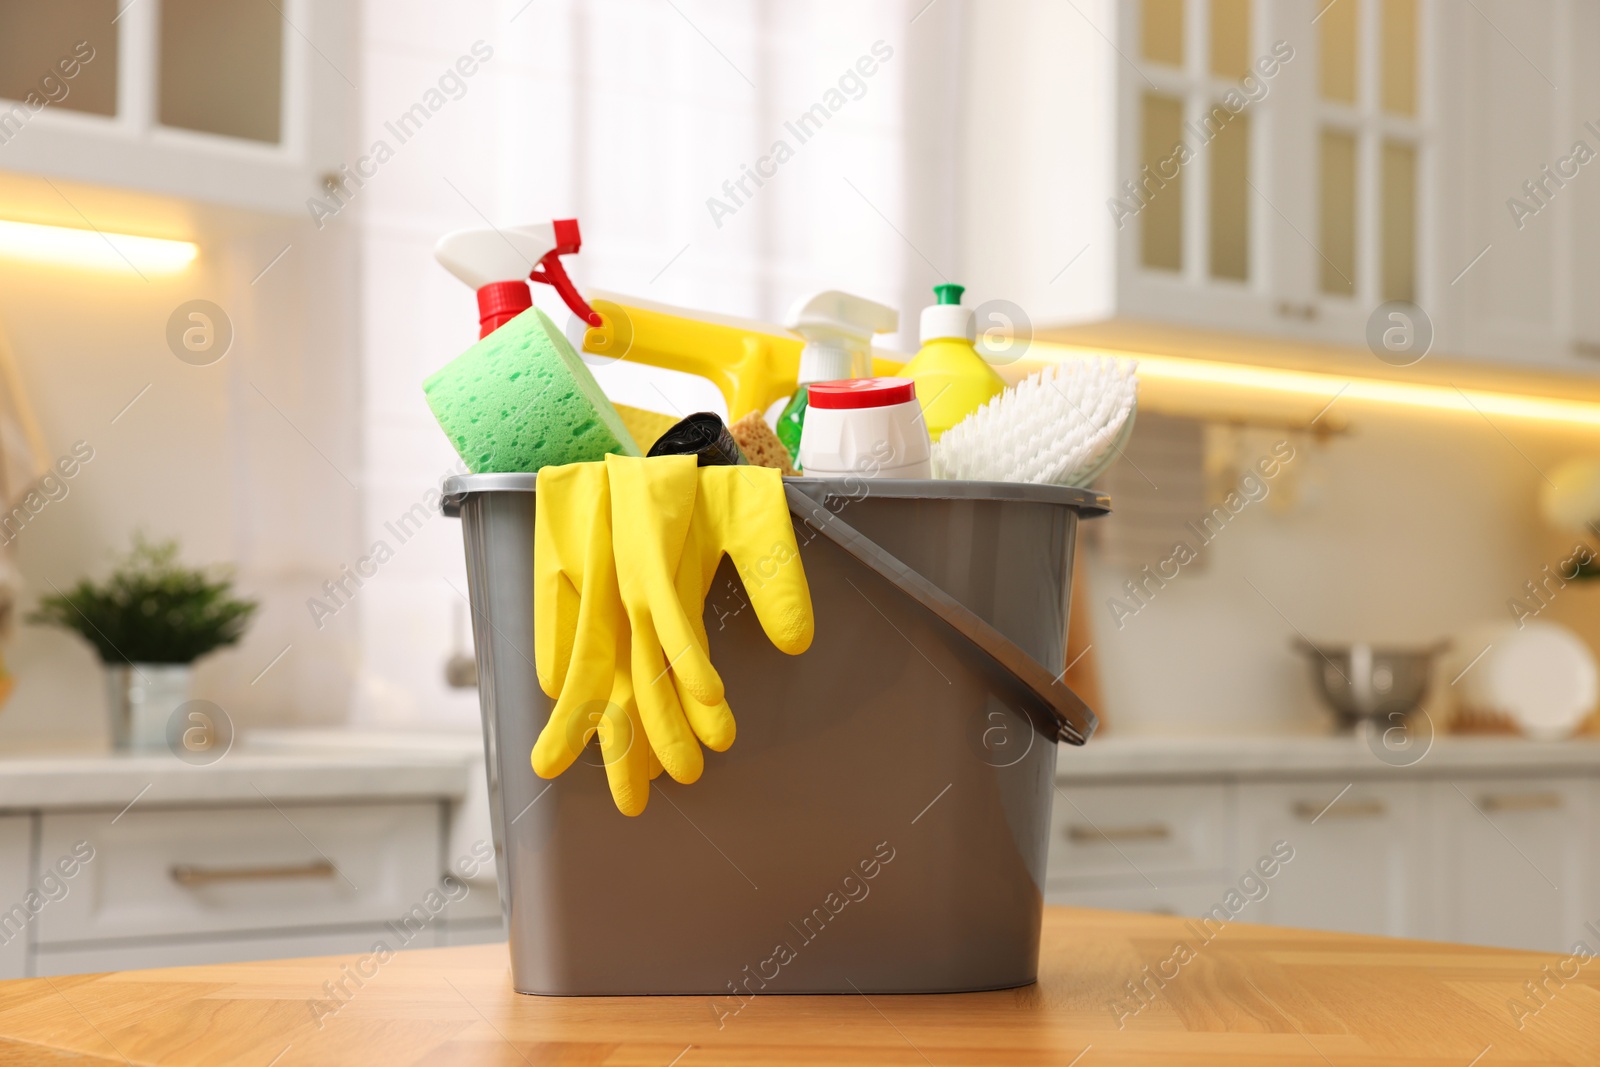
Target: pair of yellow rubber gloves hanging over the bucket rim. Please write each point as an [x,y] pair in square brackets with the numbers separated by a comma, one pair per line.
[631,660]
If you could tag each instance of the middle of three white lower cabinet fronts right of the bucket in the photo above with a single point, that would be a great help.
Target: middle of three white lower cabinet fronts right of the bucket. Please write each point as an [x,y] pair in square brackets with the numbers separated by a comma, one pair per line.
[1359,855]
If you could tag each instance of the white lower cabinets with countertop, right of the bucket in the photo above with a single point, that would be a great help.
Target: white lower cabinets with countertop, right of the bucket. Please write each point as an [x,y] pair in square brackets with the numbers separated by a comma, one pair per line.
[1484,841]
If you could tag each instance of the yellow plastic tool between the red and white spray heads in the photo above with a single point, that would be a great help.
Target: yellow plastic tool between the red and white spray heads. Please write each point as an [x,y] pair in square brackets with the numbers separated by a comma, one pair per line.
[753,364]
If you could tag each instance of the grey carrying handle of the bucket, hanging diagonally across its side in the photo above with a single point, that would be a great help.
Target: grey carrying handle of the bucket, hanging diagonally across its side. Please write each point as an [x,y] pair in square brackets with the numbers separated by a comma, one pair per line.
[1073,717]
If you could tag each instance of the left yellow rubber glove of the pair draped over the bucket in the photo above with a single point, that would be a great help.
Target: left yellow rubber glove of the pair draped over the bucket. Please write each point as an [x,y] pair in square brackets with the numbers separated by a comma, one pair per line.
[582,637]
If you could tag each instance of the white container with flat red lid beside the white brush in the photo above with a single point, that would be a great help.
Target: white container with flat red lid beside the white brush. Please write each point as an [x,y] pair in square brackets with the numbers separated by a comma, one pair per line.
[870,428]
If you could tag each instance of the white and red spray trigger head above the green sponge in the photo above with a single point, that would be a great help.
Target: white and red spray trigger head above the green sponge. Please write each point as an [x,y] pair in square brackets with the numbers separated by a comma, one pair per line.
[497,263]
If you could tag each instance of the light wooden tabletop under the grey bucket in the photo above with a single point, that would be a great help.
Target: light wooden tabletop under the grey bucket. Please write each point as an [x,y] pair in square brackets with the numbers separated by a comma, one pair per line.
[1252,996]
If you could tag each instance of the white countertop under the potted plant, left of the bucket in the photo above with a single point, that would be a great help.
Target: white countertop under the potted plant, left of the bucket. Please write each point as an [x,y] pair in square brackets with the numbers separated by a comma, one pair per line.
[279,767]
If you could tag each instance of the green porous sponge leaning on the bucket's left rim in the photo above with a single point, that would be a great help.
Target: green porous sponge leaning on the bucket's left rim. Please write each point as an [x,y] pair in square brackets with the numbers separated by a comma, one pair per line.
[522,399]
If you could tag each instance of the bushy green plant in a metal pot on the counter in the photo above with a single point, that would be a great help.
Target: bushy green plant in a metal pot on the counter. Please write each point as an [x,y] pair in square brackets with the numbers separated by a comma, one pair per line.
[150,623]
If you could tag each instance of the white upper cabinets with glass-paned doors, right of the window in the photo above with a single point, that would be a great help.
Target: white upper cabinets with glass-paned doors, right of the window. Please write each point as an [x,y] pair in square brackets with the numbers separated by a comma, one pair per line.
[1370,159]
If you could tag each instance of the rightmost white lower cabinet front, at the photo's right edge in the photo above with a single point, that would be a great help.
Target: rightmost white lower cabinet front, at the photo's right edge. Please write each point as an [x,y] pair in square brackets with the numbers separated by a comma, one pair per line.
[1516,861]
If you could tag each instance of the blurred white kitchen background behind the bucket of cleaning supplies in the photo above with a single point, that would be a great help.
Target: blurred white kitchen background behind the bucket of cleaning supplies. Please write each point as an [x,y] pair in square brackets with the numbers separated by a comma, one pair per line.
[1372,270]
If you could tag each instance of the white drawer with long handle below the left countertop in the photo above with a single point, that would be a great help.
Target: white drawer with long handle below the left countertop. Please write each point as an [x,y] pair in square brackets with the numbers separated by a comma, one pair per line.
[242,869]
